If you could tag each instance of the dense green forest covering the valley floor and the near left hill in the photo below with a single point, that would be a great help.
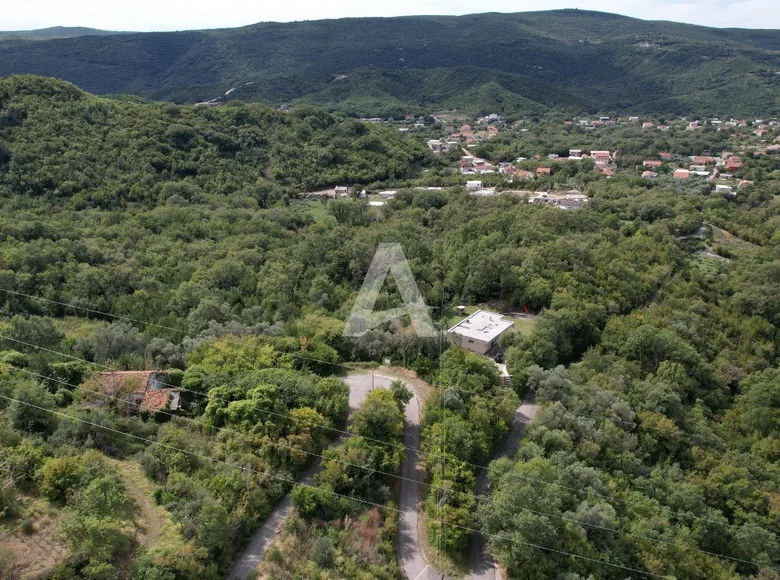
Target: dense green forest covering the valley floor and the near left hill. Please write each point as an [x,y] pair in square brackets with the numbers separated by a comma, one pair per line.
[139,236]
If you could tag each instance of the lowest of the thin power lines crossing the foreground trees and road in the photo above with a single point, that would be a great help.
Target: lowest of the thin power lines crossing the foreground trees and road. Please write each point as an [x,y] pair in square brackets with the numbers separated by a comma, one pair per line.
[303,484]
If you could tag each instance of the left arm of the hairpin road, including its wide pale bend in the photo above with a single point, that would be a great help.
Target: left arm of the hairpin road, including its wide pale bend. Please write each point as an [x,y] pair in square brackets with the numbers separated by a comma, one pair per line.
[359,387]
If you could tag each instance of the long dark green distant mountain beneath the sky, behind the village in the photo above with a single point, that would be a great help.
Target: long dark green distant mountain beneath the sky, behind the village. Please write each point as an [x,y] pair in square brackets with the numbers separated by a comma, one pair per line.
[572,60]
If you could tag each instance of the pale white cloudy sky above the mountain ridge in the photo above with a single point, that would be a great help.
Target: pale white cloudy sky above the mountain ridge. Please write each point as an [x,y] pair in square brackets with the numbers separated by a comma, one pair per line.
[144,15]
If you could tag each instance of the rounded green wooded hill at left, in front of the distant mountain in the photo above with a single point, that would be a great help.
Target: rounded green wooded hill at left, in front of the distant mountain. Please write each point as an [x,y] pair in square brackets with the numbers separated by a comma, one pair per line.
[59,142]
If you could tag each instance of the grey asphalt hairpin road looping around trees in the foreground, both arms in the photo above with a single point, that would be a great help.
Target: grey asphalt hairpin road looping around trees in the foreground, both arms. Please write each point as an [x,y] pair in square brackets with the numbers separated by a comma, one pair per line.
[409,553]
